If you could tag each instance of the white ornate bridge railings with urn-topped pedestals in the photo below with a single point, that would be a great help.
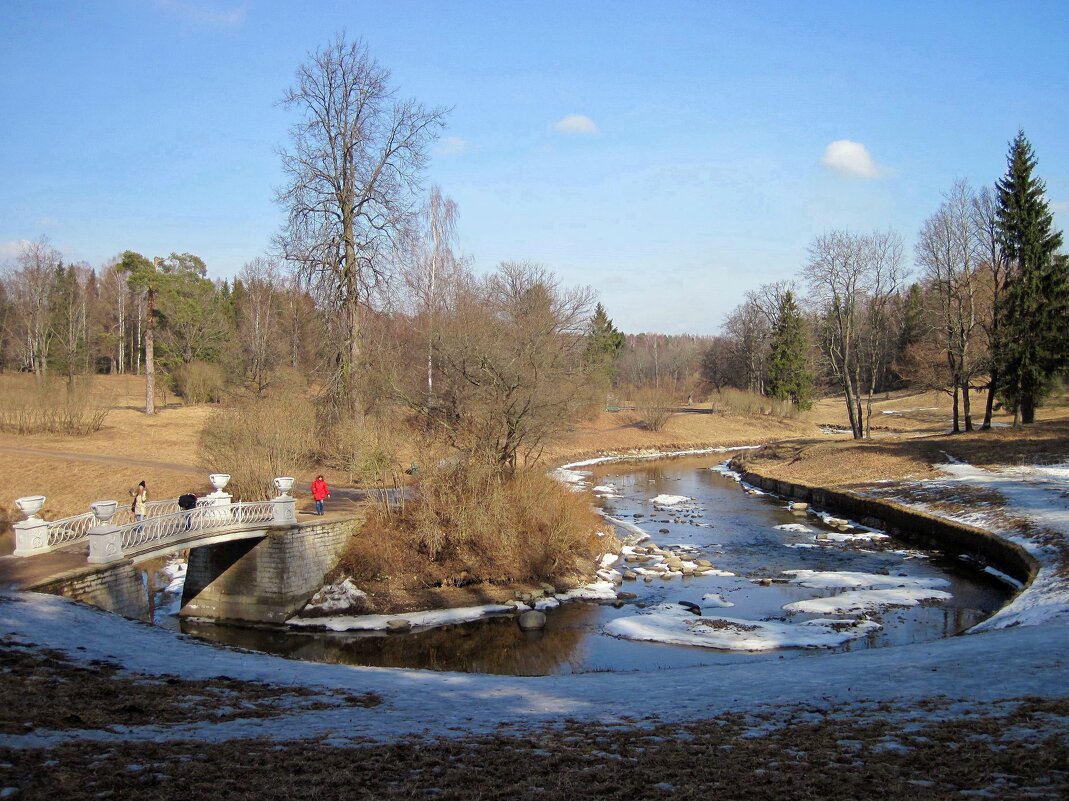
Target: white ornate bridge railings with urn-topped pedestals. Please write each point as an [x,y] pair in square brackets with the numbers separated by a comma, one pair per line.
[114,534]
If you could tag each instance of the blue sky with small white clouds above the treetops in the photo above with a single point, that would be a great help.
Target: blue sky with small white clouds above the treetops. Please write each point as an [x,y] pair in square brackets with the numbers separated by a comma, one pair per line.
[672,156]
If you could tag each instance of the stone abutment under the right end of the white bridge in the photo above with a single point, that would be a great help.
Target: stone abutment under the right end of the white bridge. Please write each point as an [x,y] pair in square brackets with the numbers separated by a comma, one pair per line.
[262,580]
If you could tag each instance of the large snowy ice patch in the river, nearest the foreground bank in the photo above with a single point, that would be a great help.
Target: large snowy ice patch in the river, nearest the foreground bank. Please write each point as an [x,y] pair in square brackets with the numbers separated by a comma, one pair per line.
[676,626]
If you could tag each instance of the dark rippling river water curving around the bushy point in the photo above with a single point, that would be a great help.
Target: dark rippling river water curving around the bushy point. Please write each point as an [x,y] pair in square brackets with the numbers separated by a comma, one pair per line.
[753,536]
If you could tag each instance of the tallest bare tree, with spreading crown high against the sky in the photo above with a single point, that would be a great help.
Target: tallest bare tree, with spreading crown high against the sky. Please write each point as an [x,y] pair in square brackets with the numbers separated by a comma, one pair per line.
[353,168]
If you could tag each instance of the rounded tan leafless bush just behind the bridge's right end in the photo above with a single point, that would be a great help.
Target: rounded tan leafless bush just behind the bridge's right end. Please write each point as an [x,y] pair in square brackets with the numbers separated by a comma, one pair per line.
[259,440]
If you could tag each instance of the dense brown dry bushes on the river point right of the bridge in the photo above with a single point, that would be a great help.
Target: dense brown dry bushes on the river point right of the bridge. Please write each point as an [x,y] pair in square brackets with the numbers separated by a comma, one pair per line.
[472,525]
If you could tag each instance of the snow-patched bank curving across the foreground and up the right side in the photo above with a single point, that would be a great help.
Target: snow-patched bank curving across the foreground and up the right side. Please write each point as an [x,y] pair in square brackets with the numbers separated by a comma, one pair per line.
[985,714]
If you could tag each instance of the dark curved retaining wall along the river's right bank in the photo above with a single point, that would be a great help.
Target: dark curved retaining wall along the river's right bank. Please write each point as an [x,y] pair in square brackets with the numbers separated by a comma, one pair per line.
[909,525]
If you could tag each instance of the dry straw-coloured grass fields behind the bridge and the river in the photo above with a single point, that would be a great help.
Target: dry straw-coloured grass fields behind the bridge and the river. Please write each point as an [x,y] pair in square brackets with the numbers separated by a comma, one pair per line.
[163,451]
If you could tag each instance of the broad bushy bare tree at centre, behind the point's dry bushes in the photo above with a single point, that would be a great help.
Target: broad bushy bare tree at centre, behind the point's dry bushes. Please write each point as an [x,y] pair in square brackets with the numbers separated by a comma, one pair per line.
[512,360]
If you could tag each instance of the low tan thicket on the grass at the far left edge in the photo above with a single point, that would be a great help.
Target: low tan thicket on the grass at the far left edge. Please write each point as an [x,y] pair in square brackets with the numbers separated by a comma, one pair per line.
[35,406]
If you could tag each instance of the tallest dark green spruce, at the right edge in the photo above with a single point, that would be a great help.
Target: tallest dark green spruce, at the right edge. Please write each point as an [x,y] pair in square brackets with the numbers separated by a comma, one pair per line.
[1032,344]
